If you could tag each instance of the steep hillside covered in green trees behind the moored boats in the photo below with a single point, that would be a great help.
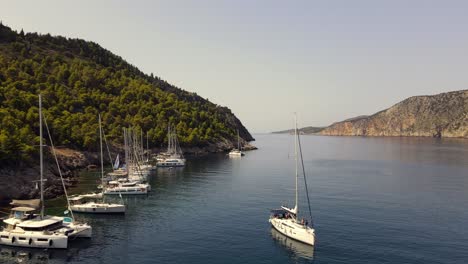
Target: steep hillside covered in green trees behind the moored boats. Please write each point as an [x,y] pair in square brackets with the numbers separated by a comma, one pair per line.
[79,79]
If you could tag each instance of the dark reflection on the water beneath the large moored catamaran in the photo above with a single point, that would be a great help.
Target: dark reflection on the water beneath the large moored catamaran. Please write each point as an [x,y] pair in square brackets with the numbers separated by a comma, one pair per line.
[9,254]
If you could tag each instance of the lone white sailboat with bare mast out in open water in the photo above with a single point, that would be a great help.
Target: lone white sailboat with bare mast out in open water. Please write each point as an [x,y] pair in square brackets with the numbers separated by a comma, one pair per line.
[285,219]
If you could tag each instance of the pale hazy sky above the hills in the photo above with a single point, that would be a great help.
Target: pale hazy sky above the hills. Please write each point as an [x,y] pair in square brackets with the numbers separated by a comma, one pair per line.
[326,60]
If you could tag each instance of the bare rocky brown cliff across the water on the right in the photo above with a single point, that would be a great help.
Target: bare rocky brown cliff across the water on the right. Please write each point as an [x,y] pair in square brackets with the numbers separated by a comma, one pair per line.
[442,115]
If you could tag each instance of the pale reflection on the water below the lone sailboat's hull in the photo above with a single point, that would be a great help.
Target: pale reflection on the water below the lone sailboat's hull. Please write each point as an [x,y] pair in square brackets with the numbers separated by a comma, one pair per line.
[296,248]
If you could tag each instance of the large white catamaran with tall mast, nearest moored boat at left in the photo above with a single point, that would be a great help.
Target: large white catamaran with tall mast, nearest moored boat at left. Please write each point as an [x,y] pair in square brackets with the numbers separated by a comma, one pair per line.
[25,228]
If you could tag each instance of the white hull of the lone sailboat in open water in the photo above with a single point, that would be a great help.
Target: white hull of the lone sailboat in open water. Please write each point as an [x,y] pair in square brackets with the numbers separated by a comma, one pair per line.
[290,228]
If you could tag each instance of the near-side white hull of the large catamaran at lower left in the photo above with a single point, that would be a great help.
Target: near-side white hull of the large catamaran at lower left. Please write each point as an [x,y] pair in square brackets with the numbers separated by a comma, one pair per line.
[33,240]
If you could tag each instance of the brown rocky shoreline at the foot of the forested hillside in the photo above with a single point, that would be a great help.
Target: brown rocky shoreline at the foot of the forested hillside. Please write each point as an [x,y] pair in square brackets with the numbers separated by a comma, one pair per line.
[18,182]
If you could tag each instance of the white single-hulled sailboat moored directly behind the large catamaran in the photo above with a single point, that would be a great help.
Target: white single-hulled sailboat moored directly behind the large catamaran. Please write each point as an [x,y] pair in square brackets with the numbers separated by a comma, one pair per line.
[94,203]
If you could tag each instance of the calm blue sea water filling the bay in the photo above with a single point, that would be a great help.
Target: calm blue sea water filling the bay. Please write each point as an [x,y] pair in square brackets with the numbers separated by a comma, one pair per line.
[374,200]
